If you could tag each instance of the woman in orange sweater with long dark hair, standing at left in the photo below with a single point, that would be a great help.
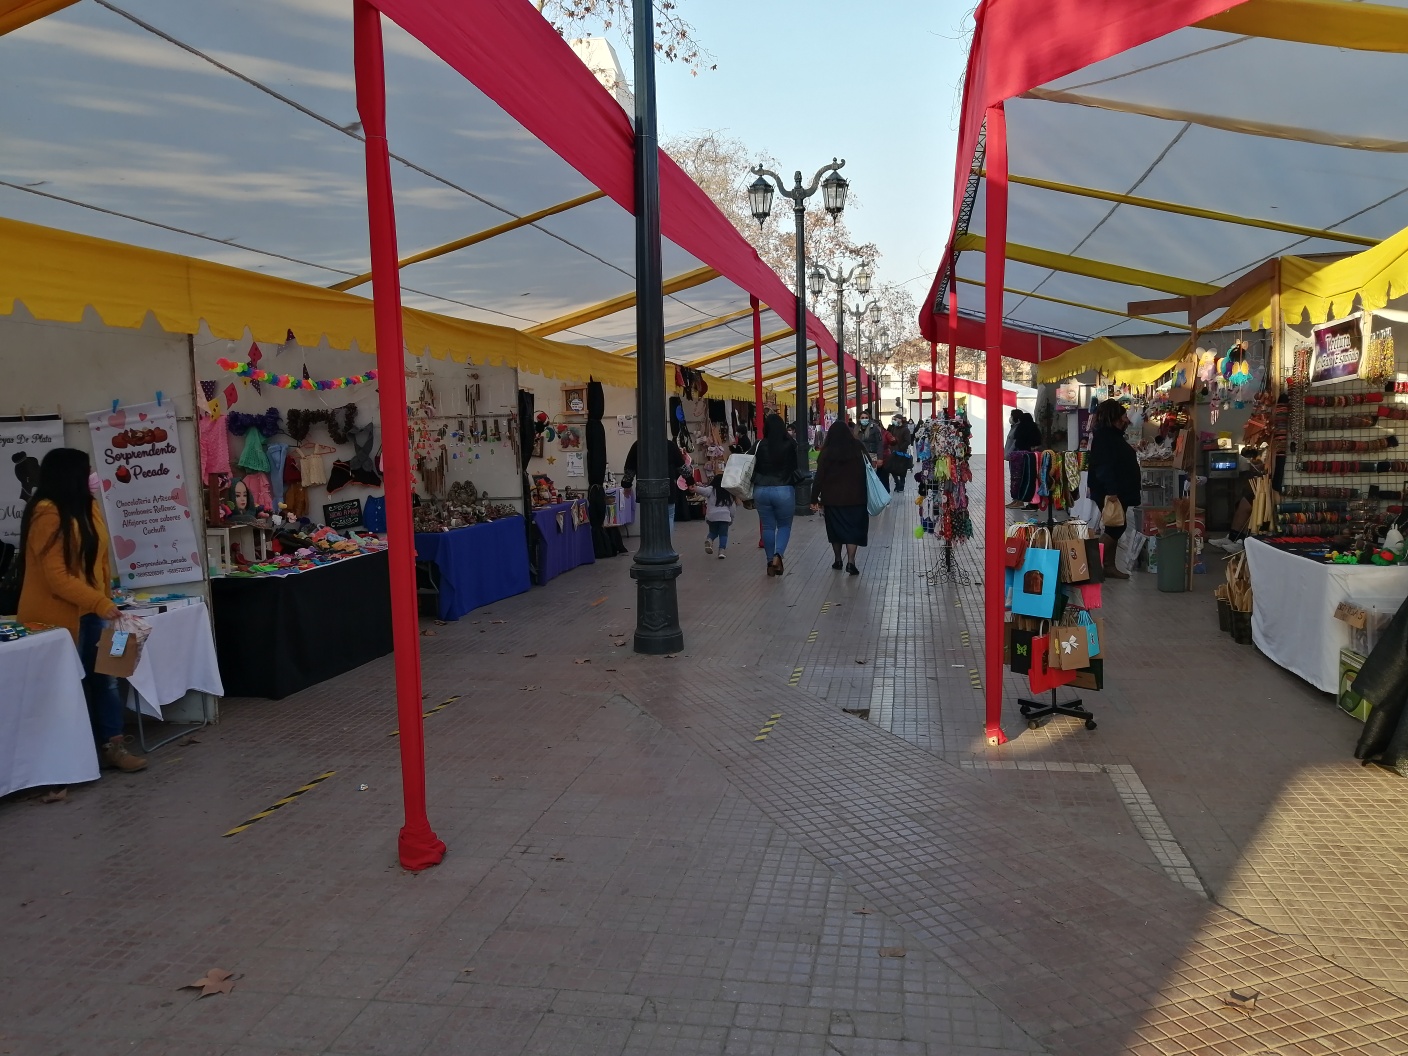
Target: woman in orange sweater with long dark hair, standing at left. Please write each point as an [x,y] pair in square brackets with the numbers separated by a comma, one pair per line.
[67,578]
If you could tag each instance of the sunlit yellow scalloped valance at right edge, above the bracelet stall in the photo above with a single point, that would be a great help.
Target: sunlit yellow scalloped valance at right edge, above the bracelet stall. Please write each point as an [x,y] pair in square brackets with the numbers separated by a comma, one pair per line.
[1328,291]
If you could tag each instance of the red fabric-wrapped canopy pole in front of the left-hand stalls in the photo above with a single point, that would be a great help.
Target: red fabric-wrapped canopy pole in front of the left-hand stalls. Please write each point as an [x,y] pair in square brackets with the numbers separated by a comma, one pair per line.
[419,846]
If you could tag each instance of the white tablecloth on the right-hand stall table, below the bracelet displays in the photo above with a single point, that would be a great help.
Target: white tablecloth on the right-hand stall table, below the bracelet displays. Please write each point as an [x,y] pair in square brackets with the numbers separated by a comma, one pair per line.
[1293,608]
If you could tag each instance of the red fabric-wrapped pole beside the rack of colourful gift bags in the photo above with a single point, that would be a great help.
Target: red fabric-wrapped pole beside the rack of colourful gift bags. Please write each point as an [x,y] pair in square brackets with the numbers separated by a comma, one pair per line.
[993,572]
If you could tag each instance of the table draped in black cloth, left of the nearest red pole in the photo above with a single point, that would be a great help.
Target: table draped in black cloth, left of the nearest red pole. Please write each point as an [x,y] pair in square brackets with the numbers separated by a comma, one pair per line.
[281,634]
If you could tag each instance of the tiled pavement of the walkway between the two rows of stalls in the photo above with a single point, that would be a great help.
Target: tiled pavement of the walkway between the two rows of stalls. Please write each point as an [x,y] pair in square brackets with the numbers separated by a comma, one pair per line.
[631,871]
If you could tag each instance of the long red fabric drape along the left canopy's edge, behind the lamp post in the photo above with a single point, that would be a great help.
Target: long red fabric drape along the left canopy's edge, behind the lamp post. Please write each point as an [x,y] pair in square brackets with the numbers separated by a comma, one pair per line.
[516,58]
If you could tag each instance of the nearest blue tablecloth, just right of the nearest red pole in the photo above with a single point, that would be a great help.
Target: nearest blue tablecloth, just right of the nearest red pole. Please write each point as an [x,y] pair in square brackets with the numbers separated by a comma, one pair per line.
[478,565]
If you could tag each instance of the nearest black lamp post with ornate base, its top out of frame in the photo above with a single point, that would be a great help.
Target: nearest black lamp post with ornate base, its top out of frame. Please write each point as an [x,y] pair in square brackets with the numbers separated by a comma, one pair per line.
[657,565]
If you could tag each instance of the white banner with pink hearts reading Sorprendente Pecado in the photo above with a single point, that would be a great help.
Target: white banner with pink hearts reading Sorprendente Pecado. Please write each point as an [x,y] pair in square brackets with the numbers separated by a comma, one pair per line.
[137,453]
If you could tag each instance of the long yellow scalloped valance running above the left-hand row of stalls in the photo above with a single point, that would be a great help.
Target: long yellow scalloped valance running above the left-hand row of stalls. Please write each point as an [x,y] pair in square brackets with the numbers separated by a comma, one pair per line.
[58,274]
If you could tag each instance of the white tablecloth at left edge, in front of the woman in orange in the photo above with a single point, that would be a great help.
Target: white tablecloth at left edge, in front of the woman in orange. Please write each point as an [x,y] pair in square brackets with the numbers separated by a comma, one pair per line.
[46,737]
